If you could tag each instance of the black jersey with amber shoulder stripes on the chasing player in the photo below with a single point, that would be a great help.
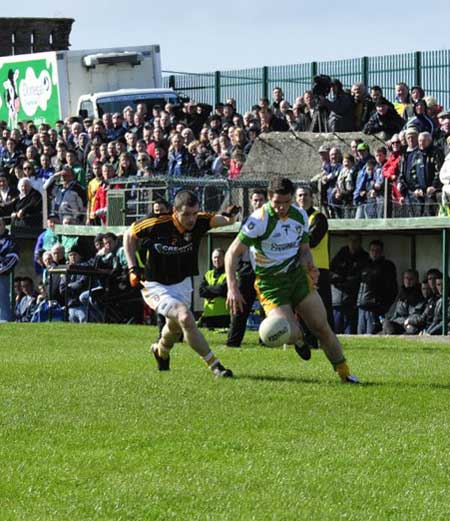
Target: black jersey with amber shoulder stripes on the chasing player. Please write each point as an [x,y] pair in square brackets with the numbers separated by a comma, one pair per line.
[170,251]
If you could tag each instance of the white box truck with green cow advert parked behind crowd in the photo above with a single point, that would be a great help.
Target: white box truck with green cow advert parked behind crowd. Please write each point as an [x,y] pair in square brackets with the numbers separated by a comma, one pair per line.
[48,86]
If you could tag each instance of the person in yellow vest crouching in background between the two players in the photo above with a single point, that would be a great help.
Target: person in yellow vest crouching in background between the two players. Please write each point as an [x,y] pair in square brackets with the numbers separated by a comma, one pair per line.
[214,290]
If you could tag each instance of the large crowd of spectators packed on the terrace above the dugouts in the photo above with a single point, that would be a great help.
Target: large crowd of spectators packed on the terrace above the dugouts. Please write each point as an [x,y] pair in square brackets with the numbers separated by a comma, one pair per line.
[74,161]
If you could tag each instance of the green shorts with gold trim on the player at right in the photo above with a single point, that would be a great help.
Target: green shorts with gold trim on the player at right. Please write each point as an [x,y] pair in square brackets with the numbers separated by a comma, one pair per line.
[285,288]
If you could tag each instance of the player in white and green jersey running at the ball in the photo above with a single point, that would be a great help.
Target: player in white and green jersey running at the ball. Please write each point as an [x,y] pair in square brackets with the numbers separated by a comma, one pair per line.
[277,236]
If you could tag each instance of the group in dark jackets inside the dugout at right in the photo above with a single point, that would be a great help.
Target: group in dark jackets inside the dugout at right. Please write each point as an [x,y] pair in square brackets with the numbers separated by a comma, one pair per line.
[366,299]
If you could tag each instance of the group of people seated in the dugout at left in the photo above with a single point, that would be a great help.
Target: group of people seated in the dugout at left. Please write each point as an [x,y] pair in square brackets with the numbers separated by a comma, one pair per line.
[79,281]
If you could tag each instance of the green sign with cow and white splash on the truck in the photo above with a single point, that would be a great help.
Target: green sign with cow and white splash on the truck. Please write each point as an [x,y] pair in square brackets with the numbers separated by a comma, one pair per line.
[29,90]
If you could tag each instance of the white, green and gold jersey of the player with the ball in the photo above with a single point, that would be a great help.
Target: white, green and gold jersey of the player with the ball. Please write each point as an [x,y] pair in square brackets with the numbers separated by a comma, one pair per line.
[274,243]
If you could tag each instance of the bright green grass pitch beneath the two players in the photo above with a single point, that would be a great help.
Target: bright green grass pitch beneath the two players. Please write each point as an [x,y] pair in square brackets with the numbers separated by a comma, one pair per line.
[89,430]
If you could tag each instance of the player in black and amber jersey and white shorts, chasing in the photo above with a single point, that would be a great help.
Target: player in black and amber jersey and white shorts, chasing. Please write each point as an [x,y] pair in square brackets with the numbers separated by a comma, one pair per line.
[171,244]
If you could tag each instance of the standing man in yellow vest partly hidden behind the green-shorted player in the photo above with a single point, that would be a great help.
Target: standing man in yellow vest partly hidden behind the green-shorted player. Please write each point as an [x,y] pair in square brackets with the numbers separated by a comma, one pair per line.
[318,243]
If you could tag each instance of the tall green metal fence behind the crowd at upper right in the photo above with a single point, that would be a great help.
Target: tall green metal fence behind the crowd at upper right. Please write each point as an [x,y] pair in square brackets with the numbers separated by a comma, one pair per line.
[430,69]
